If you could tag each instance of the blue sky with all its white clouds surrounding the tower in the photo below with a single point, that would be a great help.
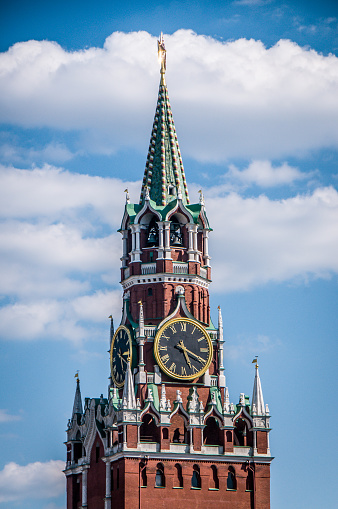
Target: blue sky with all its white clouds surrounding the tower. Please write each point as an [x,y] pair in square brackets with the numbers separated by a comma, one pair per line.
[254,92]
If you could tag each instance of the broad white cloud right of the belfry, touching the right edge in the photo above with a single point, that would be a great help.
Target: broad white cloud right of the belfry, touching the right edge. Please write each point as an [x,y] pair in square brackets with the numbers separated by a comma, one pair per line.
[258,240]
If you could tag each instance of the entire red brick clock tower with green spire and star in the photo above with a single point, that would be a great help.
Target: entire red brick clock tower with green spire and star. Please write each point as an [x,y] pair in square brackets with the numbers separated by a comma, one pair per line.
[167,434]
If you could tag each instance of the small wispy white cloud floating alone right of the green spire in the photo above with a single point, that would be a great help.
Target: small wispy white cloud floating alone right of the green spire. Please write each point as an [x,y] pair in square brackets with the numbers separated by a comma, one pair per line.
[264,174]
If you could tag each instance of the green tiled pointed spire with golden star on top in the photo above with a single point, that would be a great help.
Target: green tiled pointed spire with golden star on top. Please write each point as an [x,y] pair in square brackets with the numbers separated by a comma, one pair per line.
[164,172]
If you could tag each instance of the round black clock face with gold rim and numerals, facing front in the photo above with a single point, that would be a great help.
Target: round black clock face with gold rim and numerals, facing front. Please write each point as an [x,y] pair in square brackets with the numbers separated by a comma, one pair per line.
[183,349]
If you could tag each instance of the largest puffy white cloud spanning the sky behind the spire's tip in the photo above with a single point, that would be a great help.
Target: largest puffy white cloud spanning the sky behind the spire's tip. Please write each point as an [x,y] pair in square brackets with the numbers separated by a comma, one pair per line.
[234,99]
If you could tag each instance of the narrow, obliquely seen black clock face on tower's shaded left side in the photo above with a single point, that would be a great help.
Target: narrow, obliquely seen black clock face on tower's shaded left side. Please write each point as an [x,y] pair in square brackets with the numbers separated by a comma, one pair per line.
[120,355]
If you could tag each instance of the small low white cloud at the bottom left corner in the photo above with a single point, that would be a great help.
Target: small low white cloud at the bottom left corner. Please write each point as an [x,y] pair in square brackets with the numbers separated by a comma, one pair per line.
[32,481]
